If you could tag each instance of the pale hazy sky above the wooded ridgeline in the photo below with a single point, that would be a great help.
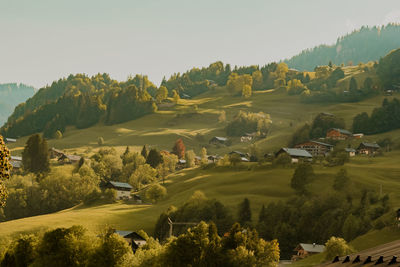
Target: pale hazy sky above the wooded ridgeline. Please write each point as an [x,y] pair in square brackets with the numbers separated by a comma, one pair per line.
[45,40]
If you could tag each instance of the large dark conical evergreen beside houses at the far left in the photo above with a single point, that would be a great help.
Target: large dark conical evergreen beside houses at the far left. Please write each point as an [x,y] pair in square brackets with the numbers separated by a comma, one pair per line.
[35,157]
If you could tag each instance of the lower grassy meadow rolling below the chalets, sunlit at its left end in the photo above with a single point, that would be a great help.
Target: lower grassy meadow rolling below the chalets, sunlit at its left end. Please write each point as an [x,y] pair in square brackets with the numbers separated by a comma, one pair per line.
[260,185]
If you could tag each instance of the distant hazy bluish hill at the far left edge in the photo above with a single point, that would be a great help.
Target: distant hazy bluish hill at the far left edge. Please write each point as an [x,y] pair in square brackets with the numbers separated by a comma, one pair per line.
[11,94]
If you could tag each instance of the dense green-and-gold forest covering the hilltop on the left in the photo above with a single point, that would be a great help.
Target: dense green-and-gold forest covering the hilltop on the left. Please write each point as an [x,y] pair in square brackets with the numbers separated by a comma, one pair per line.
[81,101]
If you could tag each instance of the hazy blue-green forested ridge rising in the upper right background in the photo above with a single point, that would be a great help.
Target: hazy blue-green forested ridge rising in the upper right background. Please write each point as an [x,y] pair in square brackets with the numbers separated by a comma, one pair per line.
[366,44]
